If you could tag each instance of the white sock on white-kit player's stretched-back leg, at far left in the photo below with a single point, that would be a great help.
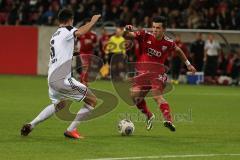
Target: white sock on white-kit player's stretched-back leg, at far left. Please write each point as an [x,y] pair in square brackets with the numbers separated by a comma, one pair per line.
[45,114]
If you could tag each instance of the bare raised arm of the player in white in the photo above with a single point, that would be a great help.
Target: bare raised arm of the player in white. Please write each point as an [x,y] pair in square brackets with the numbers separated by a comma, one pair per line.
[87,27]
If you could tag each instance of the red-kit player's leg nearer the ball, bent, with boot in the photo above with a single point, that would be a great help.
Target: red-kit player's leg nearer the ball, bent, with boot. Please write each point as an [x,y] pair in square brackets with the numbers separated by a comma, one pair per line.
[138,99]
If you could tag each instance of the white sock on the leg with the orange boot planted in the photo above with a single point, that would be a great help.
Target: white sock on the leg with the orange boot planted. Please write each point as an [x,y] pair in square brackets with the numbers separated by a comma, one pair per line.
[82,113]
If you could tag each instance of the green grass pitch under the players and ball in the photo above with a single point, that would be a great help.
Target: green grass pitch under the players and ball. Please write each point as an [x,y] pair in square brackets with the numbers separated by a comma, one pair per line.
[207,121]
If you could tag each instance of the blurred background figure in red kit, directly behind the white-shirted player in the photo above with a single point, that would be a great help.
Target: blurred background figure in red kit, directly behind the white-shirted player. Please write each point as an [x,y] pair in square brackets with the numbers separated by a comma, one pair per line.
[87,44]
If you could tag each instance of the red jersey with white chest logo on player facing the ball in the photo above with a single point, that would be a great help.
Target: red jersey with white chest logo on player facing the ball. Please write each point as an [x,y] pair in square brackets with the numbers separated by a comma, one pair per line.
[152,51]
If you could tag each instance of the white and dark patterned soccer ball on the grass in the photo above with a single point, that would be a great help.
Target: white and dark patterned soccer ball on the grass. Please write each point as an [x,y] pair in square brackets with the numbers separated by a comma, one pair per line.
[126,127]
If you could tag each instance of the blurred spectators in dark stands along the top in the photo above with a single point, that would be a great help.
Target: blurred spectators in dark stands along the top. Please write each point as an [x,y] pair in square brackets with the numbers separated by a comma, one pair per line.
[204,14]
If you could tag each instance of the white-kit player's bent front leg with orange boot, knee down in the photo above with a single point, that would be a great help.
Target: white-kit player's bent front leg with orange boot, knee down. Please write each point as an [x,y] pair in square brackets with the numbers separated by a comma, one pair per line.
[90,102]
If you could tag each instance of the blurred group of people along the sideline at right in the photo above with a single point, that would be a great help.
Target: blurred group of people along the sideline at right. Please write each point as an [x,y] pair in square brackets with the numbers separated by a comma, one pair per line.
[208,57]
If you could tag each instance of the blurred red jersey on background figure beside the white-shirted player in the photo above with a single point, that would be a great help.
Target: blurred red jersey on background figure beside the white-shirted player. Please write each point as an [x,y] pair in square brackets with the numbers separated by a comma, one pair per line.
[87,42]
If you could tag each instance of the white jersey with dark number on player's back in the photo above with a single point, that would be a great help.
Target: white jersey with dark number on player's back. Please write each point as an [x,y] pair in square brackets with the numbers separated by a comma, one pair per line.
[61,48]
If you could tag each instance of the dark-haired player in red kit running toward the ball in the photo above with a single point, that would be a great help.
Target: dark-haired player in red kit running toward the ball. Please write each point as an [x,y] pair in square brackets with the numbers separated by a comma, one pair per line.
[155,47]
